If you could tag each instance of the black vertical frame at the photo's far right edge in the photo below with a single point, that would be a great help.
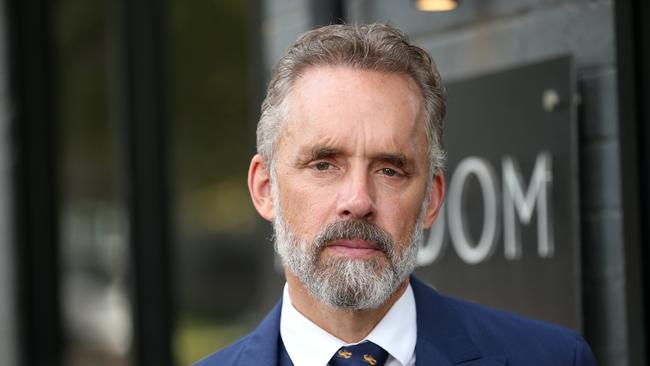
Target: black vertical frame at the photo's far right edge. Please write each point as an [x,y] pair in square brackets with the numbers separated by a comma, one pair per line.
[633,58]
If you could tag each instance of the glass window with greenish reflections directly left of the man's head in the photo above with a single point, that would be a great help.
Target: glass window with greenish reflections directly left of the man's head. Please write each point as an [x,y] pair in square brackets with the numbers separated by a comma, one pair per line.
[225,281]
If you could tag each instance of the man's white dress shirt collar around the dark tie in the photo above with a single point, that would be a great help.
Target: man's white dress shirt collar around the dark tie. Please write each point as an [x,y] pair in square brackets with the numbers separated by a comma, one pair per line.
[309,345]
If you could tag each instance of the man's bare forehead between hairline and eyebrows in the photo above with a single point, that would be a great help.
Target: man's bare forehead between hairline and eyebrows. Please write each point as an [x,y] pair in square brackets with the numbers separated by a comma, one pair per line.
[344,105]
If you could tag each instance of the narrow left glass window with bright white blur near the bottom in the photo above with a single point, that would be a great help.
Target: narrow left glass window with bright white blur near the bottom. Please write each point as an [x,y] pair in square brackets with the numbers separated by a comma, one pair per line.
[95,302]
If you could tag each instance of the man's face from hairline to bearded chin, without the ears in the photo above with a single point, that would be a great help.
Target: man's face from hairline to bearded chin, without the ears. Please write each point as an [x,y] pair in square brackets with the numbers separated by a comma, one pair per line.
[352,173]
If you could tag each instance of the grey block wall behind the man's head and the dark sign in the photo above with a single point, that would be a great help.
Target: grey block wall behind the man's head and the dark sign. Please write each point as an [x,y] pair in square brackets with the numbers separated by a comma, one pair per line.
[488,35]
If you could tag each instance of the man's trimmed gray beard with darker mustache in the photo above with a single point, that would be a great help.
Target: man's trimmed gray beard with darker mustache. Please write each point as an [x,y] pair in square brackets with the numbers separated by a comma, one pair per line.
[344,283]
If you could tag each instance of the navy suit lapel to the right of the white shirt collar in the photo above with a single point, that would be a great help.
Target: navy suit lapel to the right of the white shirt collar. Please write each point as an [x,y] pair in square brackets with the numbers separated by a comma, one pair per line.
[442,339]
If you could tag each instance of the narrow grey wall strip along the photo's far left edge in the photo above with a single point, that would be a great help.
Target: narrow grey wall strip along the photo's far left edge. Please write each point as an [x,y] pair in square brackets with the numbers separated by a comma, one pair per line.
[8,335]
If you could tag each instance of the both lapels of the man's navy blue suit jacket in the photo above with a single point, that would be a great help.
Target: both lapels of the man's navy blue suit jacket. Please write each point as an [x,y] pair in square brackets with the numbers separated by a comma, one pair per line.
[442,338]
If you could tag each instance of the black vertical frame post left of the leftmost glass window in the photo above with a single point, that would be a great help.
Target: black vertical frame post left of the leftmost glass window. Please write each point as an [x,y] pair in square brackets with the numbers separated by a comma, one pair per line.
[35,181]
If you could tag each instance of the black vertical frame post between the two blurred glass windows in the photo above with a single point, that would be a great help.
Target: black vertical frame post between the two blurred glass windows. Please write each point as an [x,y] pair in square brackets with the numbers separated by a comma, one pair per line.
[144,129]
